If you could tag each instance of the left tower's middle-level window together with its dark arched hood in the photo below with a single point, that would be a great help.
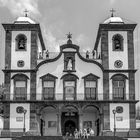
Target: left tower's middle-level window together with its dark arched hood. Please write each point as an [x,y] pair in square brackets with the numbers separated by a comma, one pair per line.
[20,86]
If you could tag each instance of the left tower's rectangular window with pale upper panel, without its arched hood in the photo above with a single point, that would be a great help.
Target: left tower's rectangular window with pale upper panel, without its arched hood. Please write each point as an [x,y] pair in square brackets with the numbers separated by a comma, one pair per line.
[20,90]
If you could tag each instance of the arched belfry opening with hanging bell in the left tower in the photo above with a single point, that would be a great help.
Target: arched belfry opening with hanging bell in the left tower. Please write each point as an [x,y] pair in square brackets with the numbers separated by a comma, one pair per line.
[21,42]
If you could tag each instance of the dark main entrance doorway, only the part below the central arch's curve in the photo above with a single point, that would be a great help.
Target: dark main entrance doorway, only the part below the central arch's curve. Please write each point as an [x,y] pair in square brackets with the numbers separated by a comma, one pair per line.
[69,121]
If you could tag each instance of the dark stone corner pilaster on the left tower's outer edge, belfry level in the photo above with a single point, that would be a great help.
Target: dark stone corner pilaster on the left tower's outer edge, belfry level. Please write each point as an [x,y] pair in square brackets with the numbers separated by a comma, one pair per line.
[8,40]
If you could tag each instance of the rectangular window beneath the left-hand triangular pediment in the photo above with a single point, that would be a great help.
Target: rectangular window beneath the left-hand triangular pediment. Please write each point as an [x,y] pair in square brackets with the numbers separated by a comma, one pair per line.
[48,90]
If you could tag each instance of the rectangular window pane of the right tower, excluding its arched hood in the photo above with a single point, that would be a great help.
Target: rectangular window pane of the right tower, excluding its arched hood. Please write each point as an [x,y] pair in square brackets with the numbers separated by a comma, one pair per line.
[118,89]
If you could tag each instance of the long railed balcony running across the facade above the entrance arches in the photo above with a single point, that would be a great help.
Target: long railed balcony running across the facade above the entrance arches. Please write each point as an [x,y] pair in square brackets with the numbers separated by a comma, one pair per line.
[100,97]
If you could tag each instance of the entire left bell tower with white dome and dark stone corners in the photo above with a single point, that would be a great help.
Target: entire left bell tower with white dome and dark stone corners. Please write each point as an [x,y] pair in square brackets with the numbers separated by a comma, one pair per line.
[23,42]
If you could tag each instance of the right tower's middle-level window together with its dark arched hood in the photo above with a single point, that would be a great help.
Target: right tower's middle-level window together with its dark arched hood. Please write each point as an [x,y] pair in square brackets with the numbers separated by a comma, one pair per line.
[119,86]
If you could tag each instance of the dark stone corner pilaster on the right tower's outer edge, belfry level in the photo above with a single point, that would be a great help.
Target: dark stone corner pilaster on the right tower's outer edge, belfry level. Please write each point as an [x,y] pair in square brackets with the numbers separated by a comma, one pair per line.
[130,49]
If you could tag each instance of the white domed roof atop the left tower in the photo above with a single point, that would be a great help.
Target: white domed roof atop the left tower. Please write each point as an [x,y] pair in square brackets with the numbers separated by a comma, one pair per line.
[24,20]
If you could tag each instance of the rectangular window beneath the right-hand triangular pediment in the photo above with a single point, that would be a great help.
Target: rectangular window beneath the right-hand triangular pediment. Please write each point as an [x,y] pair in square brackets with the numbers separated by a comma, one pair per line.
[90,90]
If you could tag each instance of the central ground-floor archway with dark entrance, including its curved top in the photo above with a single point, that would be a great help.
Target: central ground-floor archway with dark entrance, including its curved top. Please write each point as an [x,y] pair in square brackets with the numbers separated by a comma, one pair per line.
[69,120]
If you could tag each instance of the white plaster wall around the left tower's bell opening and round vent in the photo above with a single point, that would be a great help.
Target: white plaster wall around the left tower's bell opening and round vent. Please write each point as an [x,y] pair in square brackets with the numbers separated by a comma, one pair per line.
[20,55]
